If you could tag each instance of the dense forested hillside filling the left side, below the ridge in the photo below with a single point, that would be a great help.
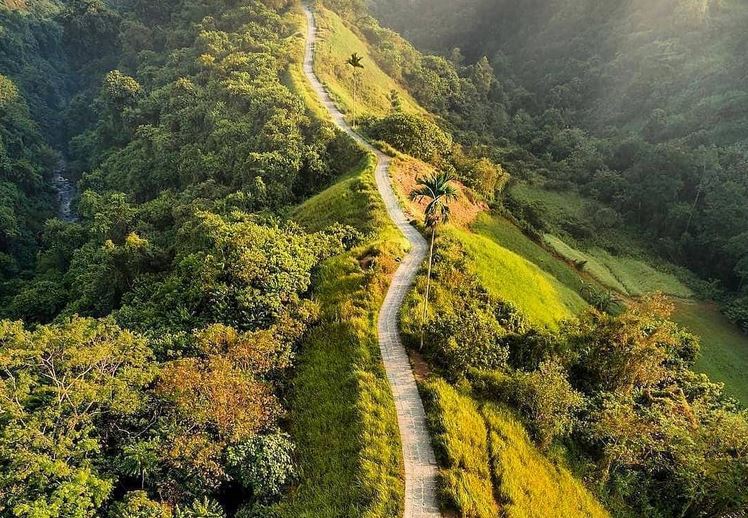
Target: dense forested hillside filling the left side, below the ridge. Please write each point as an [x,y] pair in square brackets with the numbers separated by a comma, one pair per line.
[149,346]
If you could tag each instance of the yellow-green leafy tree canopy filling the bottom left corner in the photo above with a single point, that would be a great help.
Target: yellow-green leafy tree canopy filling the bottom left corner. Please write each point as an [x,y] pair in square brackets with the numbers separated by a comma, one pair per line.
[63,386]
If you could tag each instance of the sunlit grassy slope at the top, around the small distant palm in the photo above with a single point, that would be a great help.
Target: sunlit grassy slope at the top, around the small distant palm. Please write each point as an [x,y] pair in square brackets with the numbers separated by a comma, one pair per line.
[335,45]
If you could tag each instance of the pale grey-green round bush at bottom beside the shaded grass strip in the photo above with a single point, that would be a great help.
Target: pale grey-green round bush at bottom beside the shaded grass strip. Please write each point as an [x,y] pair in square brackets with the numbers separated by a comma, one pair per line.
[263,464]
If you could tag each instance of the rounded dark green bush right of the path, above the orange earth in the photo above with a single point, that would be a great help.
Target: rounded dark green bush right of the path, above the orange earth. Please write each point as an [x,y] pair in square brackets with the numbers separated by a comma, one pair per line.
[413,135]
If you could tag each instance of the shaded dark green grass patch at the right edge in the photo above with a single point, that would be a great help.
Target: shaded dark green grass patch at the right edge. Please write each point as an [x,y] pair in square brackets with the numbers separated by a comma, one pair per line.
[724,349]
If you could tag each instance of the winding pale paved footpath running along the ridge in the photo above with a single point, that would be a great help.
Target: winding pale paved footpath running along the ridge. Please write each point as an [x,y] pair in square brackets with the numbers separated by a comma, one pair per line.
[418,455]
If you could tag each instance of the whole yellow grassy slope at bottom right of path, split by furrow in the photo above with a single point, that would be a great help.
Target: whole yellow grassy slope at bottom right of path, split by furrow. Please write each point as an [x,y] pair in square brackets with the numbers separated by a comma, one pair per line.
[489,461]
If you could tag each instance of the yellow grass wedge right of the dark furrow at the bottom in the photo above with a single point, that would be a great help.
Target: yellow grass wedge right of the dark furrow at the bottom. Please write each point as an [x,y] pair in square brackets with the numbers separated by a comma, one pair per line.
[528,484]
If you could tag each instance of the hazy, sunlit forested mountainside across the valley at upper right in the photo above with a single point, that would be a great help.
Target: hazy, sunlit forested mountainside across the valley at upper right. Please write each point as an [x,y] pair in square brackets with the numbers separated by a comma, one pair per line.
[641,105]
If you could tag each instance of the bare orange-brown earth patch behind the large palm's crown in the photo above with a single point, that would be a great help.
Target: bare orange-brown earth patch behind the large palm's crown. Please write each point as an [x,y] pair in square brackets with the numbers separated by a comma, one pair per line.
[405,171]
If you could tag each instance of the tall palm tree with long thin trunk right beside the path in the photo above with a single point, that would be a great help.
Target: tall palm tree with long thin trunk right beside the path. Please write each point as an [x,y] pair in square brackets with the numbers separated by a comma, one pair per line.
[439,192]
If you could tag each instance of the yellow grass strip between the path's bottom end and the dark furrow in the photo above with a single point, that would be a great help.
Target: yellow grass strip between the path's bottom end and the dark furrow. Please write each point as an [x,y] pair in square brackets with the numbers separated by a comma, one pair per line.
[460,442]
